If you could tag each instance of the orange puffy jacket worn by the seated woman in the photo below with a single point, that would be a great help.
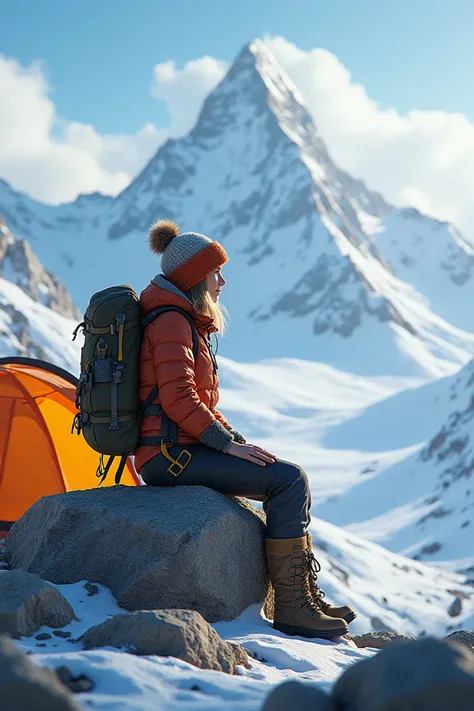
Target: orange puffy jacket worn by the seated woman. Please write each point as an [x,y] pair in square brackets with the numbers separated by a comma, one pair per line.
[188,391]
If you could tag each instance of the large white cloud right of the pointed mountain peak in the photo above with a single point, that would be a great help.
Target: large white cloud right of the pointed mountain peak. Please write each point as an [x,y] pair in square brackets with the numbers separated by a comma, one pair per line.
[422,158]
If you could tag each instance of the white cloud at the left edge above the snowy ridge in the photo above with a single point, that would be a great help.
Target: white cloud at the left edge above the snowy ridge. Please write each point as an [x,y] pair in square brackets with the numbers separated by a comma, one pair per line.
[54,160]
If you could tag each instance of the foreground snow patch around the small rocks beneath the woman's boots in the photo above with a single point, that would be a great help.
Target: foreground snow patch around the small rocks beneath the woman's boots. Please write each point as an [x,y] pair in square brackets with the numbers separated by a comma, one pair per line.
[124,682]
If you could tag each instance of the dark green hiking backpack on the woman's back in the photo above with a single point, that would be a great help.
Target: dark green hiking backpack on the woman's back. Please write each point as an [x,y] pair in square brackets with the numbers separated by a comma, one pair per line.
[109,410]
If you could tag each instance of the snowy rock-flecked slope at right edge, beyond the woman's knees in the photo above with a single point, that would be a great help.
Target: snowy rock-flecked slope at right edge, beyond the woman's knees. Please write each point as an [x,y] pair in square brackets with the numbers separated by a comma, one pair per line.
[423,505]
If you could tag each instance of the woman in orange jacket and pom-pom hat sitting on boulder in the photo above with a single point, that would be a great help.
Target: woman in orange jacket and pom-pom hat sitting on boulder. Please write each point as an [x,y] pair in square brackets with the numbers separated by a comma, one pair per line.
[185,440]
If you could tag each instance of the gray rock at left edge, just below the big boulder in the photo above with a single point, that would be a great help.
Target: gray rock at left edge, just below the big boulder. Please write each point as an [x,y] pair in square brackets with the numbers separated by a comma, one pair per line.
[27,603]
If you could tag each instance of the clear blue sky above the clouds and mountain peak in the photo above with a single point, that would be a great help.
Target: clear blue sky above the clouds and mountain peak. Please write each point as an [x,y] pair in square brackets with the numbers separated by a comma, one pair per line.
[99,54]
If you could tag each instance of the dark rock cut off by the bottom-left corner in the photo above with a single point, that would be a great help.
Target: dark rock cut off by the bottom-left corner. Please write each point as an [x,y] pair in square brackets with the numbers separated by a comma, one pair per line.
[24,686]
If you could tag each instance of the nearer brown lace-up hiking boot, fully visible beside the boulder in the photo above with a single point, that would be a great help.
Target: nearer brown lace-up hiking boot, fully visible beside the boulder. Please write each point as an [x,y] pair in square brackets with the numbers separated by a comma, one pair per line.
[296,613]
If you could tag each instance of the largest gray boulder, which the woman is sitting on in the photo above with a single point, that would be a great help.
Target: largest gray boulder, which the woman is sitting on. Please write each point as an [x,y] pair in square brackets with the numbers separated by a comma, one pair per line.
[154,547]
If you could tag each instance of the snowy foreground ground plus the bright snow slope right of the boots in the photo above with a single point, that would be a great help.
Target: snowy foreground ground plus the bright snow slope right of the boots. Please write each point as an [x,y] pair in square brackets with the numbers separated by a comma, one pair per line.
[387,590]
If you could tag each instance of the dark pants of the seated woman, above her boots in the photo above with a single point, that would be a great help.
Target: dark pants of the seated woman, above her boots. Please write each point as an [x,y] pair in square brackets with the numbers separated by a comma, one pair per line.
[282,486]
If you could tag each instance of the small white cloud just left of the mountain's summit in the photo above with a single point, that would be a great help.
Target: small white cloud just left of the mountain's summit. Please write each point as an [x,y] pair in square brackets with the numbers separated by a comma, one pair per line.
[184,90]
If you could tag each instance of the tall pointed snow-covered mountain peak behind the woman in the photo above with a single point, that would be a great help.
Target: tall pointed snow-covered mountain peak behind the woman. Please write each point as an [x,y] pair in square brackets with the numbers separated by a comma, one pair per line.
[306,276]
